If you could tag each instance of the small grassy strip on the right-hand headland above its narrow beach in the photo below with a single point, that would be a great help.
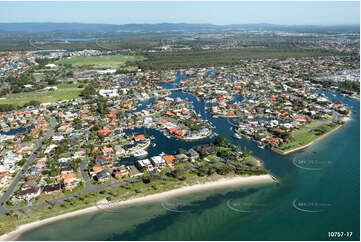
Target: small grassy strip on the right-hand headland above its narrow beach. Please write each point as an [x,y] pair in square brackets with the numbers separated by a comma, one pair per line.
[306,138]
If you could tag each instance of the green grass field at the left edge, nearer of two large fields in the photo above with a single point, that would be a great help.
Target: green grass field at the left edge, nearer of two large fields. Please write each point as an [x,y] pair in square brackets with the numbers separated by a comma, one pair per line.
[63,93]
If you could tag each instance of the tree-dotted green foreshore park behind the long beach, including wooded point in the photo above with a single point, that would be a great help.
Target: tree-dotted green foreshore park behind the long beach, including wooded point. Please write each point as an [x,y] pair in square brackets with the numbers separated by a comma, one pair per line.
[184,175]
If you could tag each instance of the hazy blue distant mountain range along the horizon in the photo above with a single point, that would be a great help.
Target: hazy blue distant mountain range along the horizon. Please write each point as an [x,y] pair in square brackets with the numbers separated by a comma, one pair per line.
[163,27]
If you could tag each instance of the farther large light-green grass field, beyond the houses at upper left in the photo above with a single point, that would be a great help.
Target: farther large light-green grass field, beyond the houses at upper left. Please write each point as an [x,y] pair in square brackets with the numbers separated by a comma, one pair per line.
[101,61]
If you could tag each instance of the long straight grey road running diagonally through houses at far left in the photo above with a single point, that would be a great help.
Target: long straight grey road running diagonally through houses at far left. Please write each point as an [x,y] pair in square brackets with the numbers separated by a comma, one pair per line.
[25,167]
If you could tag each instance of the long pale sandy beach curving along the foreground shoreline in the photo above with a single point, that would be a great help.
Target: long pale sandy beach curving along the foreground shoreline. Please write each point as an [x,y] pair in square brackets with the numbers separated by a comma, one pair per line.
[223,182]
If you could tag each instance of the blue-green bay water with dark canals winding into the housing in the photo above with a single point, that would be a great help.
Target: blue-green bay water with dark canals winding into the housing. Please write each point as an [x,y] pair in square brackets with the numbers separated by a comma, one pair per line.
[214,215]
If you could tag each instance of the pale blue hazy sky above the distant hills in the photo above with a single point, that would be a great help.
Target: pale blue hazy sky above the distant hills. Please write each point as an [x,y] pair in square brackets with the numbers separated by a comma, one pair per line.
[220,13]
